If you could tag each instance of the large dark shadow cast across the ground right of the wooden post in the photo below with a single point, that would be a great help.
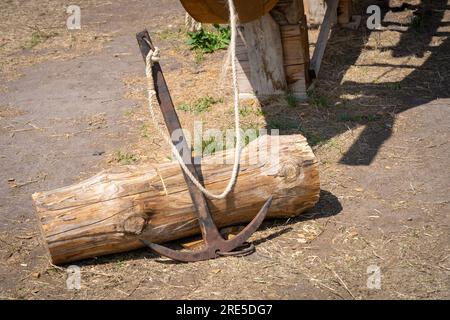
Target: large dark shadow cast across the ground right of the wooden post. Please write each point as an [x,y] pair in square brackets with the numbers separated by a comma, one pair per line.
[373,104]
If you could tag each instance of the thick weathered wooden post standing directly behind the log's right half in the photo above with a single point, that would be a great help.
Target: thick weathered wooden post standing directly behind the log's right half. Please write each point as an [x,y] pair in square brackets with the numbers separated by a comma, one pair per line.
[273,53]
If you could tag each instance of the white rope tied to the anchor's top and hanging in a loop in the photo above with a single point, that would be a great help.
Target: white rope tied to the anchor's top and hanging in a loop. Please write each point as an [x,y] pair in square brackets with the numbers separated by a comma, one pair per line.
[154,56]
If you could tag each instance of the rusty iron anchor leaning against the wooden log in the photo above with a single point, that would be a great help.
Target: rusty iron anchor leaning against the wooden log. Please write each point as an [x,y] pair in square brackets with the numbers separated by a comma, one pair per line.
[215,245]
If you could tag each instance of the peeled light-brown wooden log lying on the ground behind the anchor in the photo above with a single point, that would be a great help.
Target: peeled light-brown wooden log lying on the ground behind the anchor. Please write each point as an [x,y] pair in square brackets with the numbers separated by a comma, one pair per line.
[109,212]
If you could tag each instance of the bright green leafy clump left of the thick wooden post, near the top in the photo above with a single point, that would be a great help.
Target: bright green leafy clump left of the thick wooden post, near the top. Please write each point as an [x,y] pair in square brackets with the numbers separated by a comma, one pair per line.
[210,41]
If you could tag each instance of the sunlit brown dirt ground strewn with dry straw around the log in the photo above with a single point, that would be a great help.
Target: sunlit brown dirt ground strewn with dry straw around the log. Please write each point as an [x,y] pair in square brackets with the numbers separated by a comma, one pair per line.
[73,103]
